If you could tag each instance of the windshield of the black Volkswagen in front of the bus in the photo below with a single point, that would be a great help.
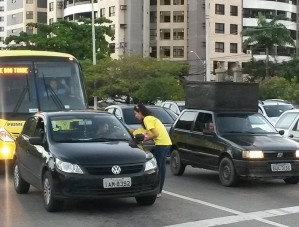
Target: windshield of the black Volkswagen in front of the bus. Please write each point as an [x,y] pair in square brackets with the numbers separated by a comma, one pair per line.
[87,128]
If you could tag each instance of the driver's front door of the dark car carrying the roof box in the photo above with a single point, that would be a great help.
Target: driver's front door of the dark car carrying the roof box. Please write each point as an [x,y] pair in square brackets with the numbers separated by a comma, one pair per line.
[204,145]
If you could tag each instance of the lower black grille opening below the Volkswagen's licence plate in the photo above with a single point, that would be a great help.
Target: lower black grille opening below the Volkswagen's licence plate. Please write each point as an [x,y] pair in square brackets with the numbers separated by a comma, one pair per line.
[100,191]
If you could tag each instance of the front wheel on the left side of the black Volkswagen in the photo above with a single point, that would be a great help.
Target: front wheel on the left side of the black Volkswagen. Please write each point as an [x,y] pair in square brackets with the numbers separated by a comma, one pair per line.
[51,204]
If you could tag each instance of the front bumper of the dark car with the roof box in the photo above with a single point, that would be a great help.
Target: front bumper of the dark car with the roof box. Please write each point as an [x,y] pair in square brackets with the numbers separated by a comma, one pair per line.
[262,169]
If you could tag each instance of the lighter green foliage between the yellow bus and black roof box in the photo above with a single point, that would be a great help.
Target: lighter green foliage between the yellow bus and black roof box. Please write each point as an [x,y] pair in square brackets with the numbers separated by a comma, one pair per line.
[144,79]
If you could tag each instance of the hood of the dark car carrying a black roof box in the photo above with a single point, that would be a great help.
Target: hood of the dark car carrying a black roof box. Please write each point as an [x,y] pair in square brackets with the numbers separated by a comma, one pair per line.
[263,142]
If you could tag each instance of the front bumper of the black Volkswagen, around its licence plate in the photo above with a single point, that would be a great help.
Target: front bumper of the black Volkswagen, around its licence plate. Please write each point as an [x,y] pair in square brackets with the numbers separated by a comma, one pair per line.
[75,186]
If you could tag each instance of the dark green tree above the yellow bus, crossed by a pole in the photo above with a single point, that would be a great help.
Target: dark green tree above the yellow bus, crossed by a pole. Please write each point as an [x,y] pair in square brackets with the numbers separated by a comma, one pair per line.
[65,36]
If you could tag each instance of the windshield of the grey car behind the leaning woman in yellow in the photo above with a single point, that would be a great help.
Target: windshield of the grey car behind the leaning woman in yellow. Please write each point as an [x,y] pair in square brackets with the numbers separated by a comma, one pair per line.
[160,113]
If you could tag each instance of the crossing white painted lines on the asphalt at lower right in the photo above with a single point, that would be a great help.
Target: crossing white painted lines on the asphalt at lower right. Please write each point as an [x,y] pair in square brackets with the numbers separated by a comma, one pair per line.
[238,217]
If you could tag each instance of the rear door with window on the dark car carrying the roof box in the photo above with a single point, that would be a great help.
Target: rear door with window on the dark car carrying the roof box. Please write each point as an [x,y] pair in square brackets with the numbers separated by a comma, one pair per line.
[181,132]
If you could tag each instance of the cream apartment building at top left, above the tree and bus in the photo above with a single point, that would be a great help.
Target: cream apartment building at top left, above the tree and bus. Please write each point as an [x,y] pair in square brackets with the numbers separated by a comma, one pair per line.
[21,12]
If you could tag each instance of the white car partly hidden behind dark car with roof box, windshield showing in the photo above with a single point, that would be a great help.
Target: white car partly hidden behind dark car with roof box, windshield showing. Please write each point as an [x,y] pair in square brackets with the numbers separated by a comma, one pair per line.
[273,108]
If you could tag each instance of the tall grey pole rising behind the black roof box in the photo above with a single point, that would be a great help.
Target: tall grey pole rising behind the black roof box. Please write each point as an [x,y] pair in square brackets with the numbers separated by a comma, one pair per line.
[208,61]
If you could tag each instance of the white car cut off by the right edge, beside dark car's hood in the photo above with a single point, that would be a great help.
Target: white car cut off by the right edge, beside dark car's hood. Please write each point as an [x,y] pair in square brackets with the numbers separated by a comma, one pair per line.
[288,122]
